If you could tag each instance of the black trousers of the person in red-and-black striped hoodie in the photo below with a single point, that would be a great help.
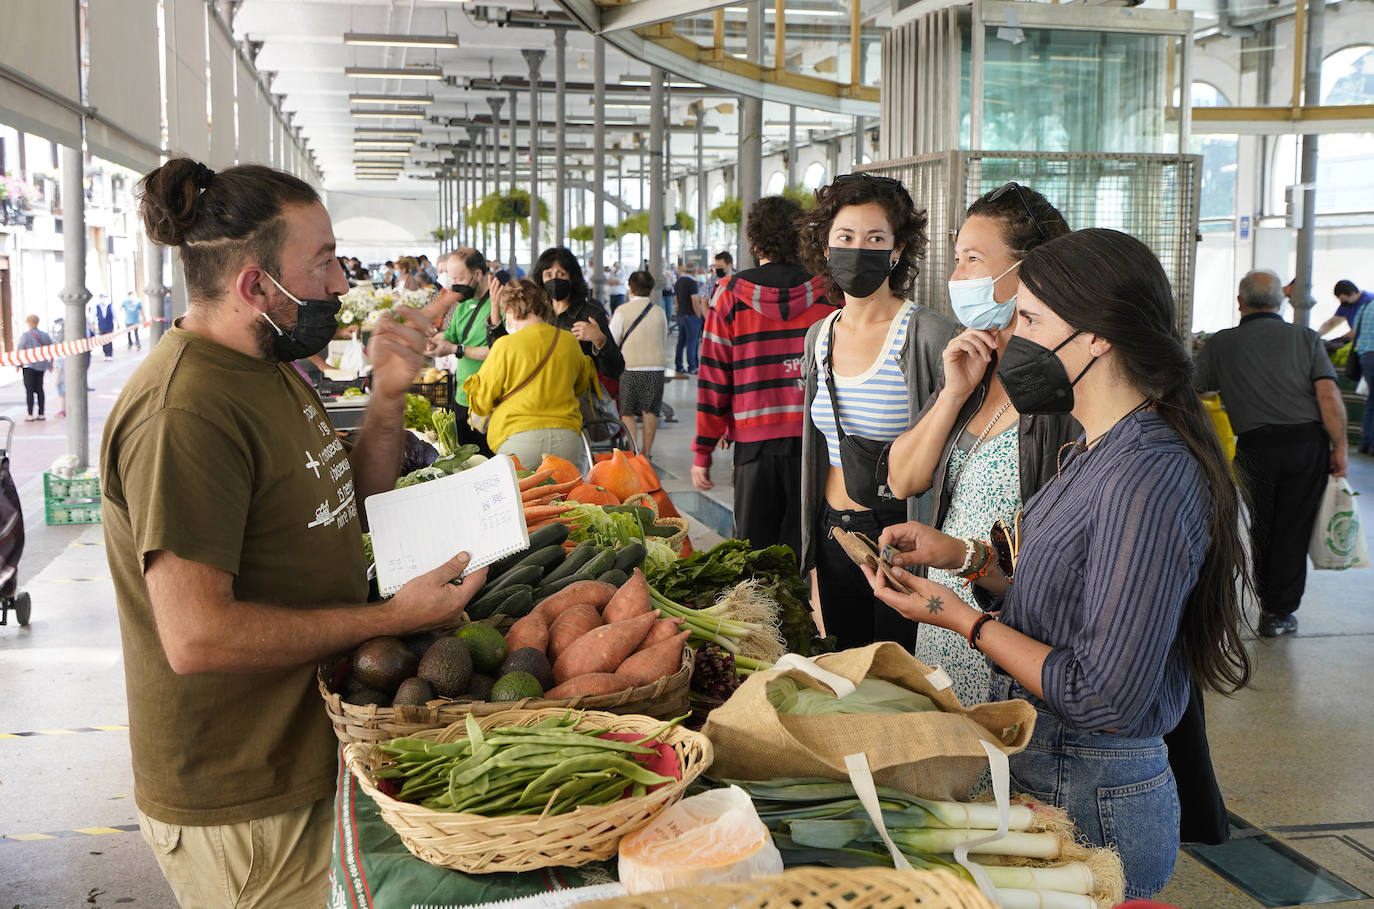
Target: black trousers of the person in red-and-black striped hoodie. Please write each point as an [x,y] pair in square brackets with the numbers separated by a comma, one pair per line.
[769,494]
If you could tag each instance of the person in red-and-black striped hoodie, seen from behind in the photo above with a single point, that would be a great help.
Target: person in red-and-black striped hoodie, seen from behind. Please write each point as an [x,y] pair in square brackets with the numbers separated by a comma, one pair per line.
[750,389]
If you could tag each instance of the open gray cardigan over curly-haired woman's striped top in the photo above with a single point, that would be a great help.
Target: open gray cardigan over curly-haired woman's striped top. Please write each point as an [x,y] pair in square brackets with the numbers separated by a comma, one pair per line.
[923,365]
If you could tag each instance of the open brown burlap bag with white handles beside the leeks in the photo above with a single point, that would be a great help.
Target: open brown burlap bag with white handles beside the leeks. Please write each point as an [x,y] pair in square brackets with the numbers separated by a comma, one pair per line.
[931,755]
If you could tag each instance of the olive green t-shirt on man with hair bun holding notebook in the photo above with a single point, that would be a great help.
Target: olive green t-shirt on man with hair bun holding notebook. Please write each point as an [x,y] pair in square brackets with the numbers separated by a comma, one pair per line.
[227,461]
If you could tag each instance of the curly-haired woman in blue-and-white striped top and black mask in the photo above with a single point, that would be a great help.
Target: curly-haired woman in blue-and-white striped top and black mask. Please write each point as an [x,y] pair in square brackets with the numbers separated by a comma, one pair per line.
[868,370]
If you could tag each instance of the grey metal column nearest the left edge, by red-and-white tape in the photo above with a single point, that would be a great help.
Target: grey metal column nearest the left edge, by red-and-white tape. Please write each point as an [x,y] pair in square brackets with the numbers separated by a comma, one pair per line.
[76,296]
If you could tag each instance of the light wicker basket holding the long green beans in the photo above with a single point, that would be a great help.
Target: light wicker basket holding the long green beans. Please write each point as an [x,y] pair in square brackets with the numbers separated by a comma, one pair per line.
[476,844]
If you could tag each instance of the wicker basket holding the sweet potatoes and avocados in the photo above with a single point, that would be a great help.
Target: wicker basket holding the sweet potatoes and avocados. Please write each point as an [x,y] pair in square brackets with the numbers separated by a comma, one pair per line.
[664,700]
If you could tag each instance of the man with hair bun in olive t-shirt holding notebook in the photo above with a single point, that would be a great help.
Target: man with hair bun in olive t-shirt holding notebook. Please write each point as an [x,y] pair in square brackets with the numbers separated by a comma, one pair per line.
[233,528]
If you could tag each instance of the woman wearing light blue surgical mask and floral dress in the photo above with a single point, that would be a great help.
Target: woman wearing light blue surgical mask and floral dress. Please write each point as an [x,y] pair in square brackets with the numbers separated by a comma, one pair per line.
[969,443]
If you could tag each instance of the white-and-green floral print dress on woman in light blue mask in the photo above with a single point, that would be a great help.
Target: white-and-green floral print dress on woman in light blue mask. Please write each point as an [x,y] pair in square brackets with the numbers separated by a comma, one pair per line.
[986,488]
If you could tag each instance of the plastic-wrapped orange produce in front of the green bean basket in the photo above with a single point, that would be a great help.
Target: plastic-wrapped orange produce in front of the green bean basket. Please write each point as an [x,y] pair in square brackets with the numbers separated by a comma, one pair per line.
[712,838]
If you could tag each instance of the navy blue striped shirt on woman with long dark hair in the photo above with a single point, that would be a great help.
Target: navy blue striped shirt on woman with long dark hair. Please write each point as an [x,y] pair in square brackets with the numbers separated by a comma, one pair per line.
[1110,554]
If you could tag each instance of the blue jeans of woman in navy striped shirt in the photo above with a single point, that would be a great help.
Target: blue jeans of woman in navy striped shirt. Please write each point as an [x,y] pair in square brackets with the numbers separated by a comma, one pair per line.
[1119,792]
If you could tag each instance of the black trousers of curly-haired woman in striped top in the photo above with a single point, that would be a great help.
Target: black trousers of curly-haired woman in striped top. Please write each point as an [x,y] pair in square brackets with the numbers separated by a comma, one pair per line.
[848,606]
